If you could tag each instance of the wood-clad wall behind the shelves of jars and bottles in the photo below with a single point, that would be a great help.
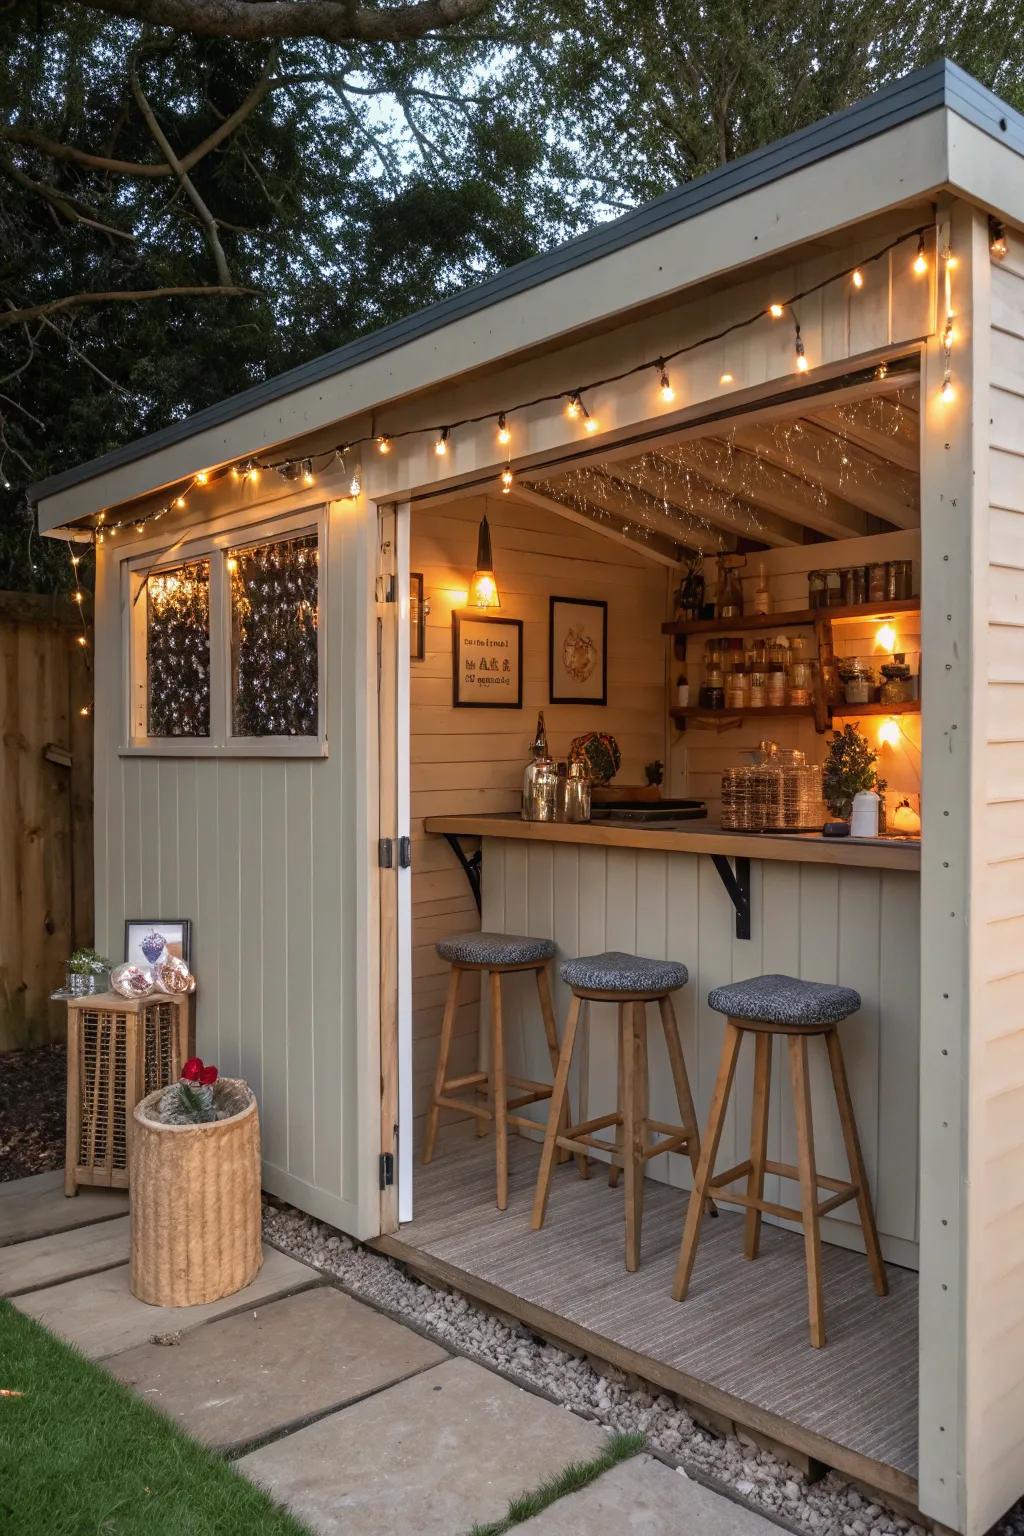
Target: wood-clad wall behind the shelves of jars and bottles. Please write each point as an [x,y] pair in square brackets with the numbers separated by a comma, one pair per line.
[699,755]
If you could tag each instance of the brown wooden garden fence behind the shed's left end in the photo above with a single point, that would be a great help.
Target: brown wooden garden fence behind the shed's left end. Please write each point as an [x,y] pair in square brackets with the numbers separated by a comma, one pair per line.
[45,810]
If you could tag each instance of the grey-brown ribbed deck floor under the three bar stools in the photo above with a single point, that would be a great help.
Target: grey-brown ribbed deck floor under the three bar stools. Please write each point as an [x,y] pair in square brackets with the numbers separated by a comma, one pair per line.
[738,1346]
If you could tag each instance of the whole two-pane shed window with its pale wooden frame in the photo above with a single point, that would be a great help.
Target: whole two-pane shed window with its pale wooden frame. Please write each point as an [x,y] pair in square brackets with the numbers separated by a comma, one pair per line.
[225,641]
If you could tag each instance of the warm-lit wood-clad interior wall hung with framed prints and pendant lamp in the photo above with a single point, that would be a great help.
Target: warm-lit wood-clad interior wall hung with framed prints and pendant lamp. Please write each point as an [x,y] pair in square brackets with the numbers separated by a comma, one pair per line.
[474,760]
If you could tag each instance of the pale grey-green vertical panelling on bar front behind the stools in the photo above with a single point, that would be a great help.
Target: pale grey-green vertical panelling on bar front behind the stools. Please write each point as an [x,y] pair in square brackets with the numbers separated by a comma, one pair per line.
[821,922]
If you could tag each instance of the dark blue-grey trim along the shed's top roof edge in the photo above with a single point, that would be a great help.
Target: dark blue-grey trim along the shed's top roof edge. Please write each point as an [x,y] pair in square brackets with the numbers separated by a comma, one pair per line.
[940,85]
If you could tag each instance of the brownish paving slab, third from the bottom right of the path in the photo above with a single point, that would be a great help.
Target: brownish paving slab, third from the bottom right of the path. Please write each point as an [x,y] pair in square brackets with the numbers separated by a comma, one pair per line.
[243,1379]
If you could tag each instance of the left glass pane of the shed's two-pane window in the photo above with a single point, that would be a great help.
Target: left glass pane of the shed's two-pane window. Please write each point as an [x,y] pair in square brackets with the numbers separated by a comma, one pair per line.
[179,652]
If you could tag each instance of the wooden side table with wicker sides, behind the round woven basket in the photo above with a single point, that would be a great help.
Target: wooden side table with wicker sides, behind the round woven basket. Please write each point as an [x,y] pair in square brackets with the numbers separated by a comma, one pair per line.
[119,1050]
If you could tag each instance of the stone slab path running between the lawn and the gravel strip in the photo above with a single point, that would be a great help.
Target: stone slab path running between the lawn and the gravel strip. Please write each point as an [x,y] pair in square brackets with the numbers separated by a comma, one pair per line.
[355,1422]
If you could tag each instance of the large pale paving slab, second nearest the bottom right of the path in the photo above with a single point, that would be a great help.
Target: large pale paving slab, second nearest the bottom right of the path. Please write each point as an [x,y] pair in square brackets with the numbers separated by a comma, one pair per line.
[434,1455]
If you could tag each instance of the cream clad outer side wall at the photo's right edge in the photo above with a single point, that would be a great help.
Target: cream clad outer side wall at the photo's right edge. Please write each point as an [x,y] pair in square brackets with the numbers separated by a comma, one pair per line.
[996,1320]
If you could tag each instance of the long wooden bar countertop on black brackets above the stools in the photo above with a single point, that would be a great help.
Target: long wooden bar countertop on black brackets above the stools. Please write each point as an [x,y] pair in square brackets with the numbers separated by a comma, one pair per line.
[692,838]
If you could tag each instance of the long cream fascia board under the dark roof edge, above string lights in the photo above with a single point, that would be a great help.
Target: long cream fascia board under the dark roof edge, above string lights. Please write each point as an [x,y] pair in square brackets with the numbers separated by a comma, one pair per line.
[907,164]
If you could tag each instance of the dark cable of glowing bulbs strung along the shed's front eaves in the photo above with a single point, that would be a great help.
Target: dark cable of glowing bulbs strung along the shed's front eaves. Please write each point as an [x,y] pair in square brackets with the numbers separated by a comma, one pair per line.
[309,466]
